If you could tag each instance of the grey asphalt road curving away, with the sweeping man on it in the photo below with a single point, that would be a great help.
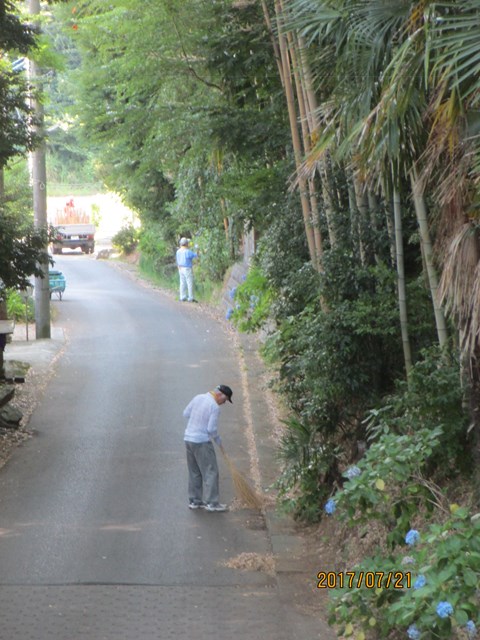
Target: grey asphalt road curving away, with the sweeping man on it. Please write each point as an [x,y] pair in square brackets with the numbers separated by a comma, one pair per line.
[96,540]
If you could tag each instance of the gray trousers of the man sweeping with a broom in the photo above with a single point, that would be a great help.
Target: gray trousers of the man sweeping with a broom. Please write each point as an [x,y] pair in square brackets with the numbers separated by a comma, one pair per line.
[202,472]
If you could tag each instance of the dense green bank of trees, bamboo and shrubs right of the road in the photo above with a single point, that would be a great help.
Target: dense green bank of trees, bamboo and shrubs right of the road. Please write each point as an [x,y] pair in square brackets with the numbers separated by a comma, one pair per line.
[345,133]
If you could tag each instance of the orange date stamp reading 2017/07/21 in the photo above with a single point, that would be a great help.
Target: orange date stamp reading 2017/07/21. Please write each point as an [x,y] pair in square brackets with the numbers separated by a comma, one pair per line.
[367,579]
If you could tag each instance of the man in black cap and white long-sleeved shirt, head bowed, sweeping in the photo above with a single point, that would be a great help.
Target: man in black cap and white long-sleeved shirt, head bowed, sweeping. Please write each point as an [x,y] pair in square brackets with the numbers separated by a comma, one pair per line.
[203,479]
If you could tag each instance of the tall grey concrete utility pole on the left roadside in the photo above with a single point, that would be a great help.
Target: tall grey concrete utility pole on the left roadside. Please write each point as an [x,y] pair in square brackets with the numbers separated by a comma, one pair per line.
[39,179]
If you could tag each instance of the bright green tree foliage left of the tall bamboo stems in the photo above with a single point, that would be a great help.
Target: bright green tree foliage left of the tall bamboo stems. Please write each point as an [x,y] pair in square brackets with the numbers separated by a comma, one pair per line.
[177,119]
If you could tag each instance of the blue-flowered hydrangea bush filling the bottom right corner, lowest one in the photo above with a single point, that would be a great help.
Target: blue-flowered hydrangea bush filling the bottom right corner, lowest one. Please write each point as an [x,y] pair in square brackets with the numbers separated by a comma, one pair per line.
[439,599]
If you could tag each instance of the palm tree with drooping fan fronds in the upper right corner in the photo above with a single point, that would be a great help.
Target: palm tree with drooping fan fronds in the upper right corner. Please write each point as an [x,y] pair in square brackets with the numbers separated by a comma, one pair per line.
[405,93]
